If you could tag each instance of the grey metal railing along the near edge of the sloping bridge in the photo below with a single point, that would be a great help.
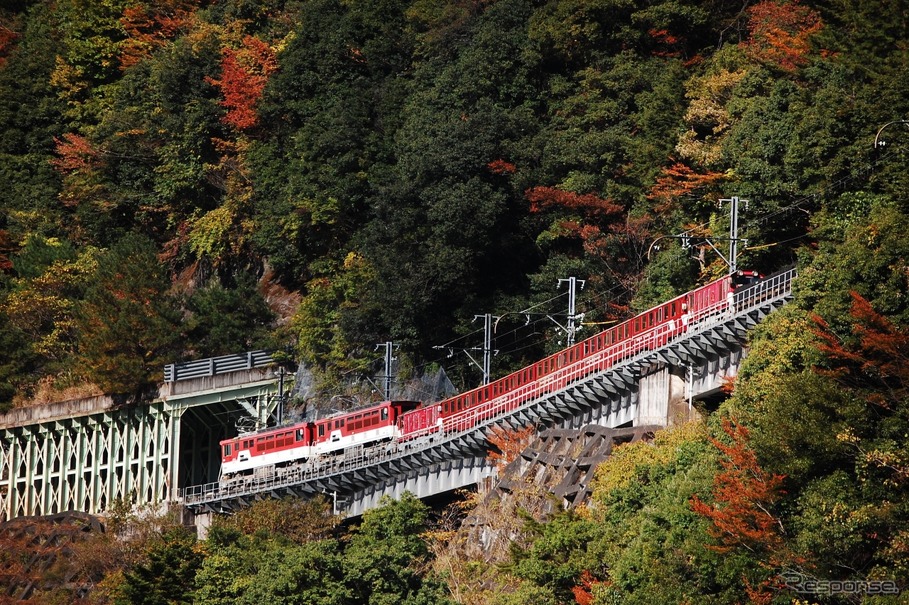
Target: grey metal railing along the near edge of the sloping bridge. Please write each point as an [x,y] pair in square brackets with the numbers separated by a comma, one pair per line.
[774,287]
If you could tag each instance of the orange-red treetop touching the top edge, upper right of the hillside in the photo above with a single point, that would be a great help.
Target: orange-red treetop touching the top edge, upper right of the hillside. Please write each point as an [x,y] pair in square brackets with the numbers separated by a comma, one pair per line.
[780,32]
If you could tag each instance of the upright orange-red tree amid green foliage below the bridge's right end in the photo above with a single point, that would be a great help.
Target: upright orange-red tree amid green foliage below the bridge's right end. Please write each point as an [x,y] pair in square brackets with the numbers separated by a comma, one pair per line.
[743,497]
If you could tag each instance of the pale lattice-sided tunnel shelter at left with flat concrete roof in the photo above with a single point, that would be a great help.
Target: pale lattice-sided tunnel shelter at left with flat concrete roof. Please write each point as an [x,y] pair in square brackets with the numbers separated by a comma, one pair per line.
[86,455]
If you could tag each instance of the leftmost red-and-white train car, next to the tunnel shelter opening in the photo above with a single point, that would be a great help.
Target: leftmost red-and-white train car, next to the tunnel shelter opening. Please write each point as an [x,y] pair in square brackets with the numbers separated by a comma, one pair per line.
[277,447]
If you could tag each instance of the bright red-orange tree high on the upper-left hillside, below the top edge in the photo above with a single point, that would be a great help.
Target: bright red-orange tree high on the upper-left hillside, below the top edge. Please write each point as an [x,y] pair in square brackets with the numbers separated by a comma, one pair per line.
[244,73]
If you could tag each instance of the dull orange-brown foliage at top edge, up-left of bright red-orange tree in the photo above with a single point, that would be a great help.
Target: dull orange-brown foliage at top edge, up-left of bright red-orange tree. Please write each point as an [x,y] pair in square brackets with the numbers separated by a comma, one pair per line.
[148,28]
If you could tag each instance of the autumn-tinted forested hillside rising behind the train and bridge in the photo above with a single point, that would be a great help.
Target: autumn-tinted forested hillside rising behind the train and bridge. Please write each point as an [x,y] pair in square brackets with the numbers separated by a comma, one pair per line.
[185,178]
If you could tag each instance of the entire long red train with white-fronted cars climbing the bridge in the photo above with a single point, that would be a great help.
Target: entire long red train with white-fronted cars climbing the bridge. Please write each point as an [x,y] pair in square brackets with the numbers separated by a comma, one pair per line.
[401,422]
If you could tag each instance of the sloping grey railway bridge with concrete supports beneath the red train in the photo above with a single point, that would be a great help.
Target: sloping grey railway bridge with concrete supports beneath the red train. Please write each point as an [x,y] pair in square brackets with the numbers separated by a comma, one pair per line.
[656,386]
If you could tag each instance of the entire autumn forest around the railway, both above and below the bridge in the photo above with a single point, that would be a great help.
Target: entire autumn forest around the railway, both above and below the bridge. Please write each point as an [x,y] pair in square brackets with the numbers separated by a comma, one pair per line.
[187,178]
